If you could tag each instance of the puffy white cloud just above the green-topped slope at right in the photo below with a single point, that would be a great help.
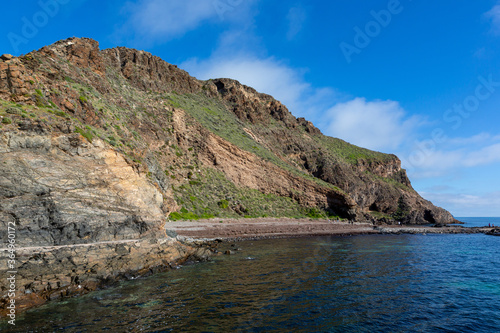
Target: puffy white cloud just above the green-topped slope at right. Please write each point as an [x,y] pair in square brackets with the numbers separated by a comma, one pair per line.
[377,125]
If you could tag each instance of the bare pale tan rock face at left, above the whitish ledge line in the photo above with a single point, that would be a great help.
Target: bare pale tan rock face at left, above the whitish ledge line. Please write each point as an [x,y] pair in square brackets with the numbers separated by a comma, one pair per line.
[61,189]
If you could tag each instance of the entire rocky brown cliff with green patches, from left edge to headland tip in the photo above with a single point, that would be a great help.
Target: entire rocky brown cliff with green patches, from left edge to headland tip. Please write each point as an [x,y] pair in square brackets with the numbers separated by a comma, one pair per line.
[99,147]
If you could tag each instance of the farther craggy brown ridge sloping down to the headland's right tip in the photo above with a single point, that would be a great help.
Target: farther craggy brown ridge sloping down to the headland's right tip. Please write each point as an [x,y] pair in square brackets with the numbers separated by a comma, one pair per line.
[375,182]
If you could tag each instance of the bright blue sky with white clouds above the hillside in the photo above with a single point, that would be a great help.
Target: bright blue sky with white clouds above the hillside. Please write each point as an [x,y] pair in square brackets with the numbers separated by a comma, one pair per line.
[419,78]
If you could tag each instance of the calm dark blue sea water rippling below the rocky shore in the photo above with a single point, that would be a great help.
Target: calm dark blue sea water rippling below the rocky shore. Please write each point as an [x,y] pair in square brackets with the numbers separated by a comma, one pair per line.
[377,283]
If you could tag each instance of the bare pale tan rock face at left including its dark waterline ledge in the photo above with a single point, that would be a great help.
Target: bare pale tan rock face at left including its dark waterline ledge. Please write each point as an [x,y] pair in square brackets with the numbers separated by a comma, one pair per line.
[82,216]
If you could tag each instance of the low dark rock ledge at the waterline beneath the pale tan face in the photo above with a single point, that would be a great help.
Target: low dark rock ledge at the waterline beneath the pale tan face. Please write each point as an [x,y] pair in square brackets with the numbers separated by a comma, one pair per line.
[53,272]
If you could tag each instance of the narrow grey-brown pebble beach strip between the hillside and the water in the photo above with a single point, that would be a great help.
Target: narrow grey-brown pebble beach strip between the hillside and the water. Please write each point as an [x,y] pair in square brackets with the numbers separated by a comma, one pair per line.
[269,228]
